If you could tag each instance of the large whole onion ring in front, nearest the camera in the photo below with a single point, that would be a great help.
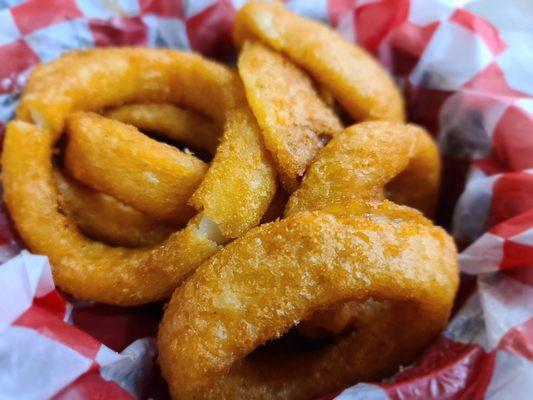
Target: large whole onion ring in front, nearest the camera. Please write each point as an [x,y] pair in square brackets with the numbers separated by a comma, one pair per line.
[399,267]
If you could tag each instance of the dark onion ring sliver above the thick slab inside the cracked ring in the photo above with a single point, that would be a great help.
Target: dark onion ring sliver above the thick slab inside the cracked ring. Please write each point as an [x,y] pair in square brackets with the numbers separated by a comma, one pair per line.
[171,122]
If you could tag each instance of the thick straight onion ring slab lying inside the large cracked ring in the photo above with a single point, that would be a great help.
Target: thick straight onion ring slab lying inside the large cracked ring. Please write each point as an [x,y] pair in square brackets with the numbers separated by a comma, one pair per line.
[129,161]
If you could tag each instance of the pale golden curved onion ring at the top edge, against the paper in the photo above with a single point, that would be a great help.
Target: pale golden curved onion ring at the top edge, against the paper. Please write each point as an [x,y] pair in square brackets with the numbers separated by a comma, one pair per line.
[348,72]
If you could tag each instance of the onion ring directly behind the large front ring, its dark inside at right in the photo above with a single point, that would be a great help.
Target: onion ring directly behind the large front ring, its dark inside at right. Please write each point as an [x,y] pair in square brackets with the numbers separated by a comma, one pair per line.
[373,160]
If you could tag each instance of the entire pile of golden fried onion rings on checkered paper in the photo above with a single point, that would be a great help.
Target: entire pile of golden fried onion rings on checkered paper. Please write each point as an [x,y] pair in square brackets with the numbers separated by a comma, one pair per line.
[282,206]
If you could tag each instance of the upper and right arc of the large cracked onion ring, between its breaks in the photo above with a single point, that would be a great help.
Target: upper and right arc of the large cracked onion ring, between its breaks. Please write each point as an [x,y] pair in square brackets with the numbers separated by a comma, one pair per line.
[92,80]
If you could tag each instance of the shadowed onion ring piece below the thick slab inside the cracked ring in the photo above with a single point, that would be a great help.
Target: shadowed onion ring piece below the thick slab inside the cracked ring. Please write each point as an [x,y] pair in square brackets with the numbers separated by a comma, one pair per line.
[102,217]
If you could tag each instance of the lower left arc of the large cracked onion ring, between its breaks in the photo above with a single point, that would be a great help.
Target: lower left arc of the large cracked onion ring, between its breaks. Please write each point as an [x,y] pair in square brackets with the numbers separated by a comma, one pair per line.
[89,270]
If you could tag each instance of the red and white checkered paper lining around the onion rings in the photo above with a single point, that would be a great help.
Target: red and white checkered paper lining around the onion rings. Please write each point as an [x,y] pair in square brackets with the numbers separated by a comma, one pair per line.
[466,74]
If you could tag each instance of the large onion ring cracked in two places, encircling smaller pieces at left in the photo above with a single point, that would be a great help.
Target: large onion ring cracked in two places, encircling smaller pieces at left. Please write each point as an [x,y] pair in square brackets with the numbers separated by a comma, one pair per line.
[233,196]
